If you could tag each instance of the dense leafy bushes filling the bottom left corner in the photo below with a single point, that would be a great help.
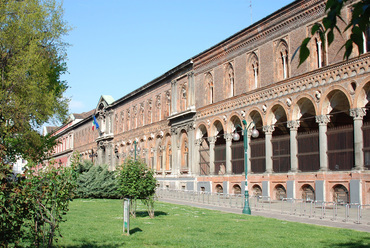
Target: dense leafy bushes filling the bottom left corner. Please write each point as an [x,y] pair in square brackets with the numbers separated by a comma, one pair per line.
[32,207]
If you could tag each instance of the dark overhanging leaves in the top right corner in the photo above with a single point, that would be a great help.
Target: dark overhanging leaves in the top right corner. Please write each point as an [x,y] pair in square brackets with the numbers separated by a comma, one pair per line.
[359,25]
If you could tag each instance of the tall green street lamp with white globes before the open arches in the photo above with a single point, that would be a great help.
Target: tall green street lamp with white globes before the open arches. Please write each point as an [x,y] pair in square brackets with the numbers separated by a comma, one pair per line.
[236,136]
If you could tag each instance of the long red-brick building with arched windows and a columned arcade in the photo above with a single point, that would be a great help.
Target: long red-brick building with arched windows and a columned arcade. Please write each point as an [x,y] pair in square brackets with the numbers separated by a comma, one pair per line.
[313,123]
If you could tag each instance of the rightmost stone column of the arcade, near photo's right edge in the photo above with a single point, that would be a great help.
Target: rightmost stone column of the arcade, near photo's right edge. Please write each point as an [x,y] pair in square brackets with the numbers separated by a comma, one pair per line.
[358,115]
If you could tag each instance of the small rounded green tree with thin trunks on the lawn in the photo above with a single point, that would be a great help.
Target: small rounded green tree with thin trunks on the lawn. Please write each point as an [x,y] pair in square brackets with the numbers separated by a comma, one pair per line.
[136,181]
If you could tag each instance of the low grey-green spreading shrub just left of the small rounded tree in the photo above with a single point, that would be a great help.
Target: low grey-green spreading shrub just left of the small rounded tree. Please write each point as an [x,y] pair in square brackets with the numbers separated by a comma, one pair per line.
[96,181]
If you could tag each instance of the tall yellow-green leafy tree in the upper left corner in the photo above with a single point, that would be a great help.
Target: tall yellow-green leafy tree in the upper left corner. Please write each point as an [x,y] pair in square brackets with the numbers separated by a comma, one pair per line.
[32,59]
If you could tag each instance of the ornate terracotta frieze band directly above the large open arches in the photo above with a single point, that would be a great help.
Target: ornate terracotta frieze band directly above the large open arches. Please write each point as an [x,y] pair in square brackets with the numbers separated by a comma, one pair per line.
[318,78]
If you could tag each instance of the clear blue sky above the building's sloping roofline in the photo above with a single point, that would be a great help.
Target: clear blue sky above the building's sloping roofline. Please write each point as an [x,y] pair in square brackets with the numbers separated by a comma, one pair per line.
[119,45]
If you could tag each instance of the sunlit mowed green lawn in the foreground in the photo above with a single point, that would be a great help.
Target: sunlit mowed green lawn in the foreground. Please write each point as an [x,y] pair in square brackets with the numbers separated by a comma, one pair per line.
[98,223]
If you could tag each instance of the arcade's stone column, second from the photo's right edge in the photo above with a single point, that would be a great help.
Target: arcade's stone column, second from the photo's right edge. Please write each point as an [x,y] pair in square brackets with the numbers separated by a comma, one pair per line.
[323,121]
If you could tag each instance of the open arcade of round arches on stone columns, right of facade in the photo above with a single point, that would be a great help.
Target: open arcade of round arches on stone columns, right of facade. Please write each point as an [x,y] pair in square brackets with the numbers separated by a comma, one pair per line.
[291,133]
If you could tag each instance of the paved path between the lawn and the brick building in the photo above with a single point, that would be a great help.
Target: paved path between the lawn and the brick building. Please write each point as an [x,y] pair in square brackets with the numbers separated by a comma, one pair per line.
[294,218]
